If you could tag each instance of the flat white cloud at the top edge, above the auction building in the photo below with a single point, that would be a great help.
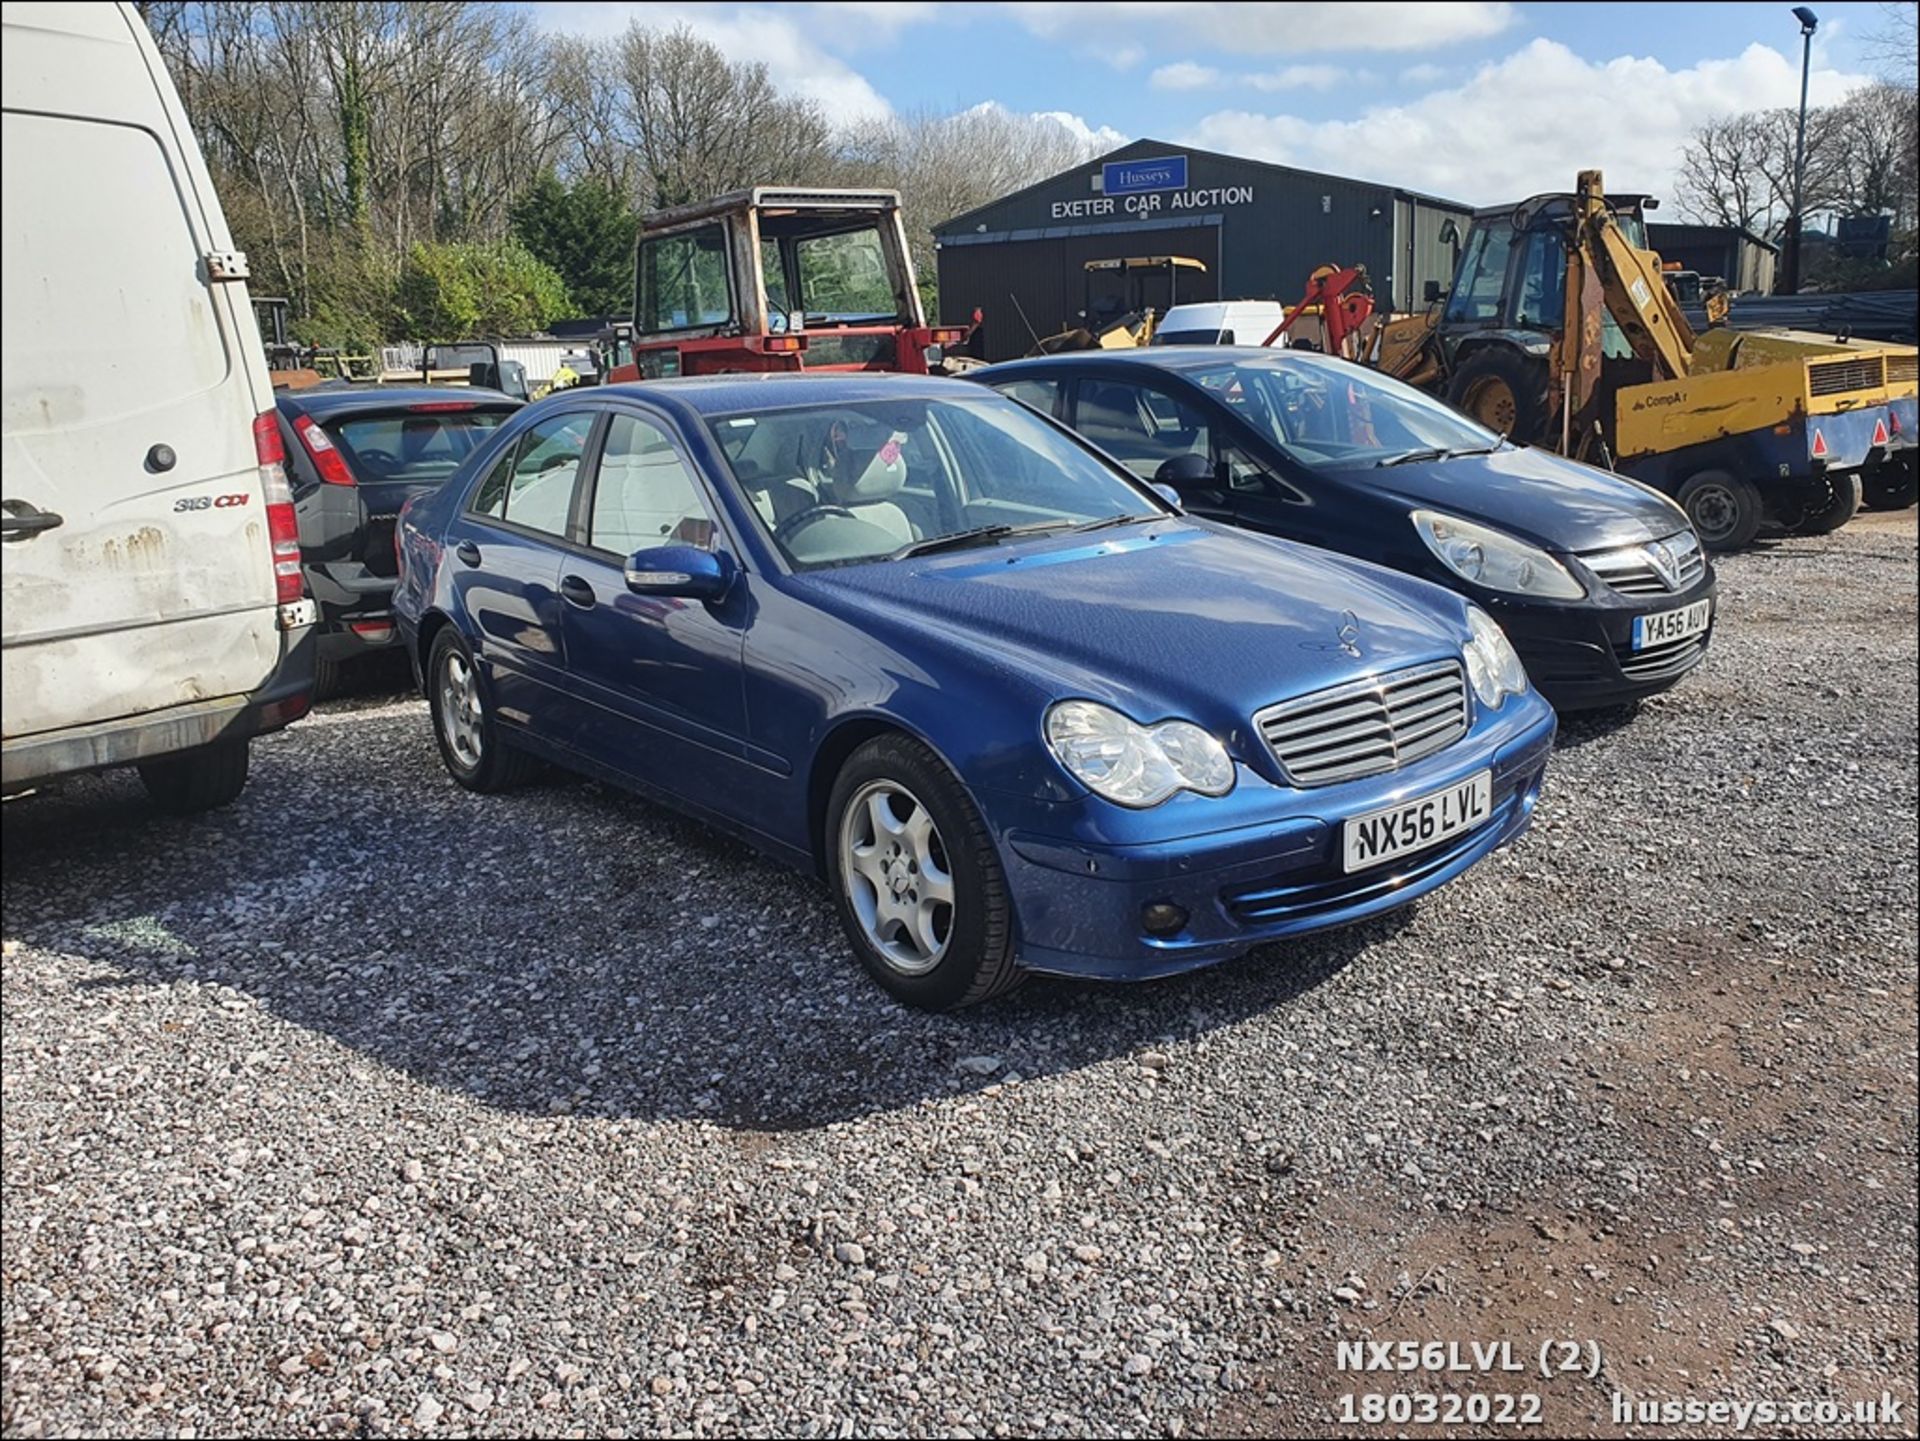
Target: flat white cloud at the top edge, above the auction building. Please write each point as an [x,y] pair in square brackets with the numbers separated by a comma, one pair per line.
[1278,30]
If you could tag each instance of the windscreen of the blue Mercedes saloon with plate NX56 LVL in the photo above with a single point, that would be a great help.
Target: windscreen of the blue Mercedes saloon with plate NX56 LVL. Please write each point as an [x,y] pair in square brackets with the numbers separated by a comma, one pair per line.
[875,481]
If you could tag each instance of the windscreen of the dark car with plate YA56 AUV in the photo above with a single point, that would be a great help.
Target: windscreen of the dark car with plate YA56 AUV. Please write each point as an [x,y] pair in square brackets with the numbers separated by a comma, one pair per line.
[1332,415]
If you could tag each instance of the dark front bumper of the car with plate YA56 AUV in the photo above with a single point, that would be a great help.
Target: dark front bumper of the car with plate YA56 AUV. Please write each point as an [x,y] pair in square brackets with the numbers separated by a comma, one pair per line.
[1583,657]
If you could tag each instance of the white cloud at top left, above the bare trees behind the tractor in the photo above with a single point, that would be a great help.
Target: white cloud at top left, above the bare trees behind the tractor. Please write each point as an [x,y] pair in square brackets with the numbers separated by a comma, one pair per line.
[798,62]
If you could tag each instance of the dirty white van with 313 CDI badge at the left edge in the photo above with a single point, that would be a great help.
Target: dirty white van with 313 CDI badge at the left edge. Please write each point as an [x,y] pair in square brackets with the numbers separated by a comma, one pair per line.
[151,596]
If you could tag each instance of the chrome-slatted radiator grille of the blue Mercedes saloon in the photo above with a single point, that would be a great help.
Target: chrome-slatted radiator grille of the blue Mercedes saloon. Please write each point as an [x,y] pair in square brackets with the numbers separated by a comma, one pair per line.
[1370,726]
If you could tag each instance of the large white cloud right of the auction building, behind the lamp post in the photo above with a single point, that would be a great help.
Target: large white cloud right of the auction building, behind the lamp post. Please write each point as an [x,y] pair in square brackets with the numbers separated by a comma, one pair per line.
[1527,124]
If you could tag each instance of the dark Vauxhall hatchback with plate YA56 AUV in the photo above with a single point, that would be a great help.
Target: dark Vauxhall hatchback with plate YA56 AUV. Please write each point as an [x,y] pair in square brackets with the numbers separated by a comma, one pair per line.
[1598,580]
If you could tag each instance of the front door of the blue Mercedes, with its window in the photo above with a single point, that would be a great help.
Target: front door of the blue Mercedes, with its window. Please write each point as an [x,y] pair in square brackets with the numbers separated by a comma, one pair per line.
[656,680]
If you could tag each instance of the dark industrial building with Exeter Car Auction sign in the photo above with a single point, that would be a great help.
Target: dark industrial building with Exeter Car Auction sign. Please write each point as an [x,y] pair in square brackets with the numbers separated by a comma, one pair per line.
[1259,229]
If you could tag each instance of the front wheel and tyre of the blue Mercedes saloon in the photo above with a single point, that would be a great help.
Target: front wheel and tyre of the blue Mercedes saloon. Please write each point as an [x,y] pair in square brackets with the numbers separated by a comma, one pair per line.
[917,880]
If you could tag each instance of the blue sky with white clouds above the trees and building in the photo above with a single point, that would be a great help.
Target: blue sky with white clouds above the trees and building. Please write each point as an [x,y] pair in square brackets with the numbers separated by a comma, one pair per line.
[1479,103]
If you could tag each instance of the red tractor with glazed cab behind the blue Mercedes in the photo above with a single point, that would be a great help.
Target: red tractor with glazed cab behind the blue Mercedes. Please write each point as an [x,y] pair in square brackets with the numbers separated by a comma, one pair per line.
[780,279]
